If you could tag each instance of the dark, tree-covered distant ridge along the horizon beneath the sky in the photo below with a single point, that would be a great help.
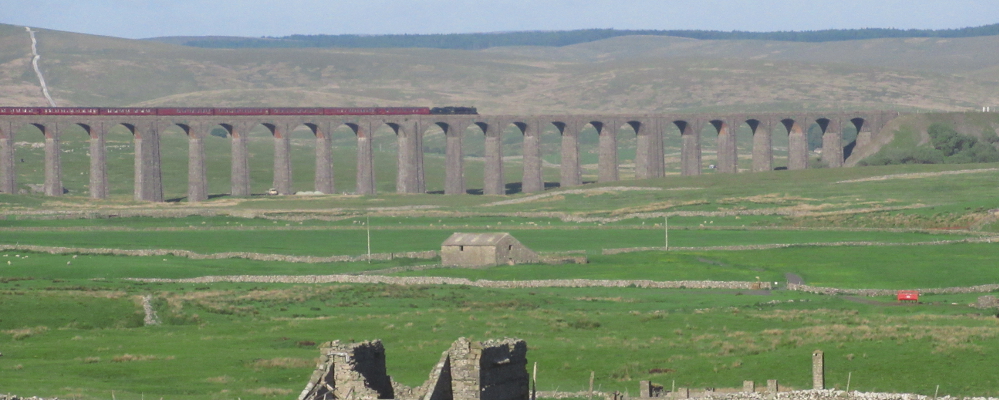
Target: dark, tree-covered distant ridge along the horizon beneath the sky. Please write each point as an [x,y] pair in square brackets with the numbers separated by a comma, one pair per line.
[476,41]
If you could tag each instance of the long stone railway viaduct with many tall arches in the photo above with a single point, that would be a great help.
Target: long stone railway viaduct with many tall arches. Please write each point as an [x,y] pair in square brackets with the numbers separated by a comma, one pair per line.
[649,160]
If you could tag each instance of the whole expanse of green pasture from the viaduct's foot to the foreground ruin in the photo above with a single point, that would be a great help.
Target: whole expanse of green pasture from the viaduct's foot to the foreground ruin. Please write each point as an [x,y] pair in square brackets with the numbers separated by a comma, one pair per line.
[77,314]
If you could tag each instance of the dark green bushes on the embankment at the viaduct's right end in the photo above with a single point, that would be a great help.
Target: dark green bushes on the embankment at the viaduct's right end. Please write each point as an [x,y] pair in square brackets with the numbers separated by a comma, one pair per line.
[946,146]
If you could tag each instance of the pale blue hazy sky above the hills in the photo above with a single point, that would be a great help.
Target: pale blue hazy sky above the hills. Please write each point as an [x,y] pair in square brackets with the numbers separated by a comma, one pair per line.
[150,18]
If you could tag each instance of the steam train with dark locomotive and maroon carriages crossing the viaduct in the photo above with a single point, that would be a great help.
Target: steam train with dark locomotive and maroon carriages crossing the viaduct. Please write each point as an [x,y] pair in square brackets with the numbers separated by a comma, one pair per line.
[199,111]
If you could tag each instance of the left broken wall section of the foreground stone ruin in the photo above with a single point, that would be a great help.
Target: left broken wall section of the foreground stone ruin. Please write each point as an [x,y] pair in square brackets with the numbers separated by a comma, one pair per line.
[350,371]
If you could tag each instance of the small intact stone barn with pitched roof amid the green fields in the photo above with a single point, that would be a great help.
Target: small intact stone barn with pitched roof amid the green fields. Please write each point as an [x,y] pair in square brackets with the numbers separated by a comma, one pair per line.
[484,250]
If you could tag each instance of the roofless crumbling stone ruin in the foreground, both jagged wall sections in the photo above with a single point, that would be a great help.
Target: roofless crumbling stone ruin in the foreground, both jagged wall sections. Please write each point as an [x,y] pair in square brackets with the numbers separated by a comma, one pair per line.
[489,370]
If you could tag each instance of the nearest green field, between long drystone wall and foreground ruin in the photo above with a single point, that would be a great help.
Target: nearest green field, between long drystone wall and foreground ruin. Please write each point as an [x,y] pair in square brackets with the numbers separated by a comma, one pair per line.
[243,341]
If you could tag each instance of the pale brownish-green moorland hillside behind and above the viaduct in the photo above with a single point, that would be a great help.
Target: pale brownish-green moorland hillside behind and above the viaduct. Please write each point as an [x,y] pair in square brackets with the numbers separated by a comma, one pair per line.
[623,74]
